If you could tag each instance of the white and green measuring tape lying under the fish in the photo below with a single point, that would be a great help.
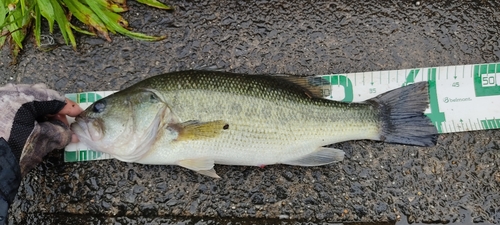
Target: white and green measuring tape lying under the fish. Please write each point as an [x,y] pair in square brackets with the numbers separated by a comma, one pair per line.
[462,98]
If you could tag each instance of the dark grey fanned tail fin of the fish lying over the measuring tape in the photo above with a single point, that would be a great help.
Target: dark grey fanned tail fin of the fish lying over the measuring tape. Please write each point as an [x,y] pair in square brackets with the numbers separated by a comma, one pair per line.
[402,116]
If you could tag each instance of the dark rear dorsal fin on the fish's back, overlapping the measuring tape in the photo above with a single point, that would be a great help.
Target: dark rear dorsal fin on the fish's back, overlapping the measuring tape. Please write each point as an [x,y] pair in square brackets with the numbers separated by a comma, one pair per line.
[314,86]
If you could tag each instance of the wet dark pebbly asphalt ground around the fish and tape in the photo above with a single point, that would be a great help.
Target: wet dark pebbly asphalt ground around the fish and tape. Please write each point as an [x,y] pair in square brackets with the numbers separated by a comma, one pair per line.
[456,181]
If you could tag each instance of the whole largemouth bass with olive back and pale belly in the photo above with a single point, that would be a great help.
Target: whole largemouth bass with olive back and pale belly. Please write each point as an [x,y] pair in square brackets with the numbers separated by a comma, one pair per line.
[196,119]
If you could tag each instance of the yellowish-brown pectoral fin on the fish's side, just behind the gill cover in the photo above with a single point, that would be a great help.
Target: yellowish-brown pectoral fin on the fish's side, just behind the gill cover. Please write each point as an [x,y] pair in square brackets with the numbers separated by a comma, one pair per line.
[194,130]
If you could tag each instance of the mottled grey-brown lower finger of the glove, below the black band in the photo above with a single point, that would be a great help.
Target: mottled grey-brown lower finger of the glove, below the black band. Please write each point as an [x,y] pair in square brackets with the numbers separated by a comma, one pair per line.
[46,136]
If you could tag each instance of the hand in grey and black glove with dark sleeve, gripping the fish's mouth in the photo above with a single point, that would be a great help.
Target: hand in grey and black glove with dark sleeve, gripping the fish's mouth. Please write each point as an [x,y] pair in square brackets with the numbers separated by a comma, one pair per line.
[32,123]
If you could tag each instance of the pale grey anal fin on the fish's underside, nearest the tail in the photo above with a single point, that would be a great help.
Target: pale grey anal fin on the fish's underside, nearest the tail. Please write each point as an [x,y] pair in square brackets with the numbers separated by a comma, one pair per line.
[320,157]
